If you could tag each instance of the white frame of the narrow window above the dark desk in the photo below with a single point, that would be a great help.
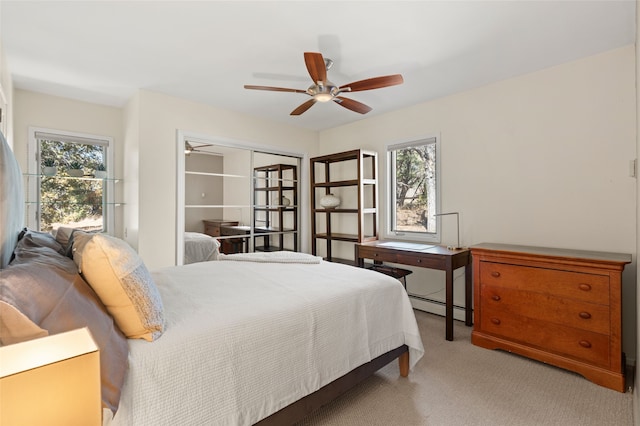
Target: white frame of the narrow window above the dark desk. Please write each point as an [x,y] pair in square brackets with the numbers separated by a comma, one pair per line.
[388,228]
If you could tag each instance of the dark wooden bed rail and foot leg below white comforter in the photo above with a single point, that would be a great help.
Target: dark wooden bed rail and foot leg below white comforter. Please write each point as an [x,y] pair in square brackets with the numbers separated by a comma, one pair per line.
[305,406]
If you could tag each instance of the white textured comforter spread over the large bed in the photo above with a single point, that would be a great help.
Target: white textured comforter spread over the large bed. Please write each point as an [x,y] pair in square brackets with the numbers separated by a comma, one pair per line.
[246,339]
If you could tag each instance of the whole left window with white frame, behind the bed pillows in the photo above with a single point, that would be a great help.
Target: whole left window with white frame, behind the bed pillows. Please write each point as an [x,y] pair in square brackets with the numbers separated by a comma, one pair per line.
[68,184]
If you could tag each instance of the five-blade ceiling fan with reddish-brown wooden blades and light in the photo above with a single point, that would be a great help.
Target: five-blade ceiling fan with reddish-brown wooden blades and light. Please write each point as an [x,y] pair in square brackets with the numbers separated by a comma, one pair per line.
[323,90]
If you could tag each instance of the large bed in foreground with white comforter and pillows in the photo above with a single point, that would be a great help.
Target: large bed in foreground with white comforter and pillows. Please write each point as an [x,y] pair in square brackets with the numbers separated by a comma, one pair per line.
[256,338]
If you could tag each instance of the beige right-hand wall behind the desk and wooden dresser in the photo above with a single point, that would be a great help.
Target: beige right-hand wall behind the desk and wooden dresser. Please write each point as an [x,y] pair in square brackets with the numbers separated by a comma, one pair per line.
[541,159]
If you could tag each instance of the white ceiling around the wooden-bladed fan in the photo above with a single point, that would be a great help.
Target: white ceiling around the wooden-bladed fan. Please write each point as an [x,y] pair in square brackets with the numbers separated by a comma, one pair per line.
[103,51]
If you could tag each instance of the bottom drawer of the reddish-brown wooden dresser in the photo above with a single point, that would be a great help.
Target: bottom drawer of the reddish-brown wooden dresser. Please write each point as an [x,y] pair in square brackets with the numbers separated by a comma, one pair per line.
[578,344]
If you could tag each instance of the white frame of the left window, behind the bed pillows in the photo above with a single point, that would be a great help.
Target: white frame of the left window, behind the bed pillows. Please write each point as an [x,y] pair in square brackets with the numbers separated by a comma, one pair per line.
[33,169]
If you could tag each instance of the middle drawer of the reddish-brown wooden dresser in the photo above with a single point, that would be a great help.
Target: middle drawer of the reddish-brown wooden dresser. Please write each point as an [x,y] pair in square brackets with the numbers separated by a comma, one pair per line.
[573,313]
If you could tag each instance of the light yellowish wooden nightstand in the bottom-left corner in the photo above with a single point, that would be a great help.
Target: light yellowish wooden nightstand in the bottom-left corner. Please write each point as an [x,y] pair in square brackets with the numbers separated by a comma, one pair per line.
[53,380]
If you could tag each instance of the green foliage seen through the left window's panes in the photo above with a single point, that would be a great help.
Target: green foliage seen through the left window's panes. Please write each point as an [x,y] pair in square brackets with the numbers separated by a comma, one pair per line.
[65,200]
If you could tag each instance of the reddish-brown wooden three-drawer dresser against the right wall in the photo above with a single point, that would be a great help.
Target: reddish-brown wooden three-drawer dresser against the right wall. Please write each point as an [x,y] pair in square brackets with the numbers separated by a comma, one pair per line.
[561,307]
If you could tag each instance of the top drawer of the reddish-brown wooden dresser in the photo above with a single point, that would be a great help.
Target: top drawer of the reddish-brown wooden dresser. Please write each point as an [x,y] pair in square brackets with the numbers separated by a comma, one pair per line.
[575,285]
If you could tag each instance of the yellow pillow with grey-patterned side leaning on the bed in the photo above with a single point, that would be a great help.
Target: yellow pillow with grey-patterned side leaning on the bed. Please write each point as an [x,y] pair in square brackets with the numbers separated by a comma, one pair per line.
[122,282]
